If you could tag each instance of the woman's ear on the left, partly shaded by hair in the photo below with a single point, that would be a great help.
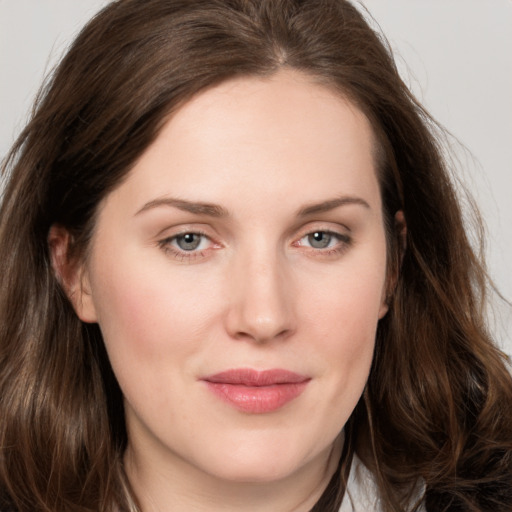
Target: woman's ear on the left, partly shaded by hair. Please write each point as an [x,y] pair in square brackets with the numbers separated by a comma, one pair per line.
[71,273]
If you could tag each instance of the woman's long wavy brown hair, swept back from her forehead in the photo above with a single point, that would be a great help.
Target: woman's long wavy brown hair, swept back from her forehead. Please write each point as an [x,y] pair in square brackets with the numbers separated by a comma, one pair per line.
[437,411]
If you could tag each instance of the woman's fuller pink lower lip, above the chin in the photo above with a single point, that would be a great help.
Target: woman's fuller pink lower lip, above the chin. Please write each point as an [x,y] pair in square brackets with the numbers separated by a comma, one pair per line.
[257,399]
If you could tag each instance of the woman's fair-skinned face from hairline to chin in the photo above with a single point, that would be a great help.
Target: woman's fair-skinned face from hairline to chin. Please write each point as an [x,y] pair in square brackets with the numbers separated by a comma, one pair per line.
[238,275]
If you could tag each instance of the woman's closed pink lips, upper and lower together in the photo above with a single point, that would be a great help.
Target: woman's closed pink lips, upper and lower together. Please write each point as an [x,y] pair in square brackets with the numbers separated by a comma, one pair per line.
[255,391]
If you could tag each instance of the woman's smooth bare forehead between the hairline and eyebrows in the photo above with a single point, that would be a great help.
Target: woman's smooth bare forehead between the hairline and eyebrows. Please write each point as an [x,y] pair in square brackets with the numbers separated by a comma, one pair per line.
[267,139]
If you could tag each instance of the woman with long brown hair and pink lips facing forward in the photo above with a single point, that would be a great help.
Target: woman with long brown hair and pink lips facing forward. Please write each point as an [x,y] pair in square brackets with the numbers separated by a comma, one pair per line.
[235,276]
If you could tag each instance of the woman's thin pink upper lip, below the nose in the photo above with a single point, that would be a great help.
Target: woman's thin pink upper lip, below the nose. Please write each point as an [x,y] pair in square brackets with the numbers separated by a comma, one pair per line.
[250,377]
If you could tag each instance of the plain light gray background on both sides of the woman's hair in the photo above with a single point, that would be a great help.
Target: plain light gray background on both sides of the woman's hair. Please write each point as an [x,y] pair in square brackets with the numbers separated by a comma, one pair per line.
[456,55]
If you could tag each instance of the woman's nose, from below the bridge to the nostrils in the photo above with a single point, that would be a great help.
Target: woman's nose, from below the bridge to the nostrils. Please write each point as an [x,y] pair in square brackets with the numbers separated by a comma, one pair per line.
[262,305]
